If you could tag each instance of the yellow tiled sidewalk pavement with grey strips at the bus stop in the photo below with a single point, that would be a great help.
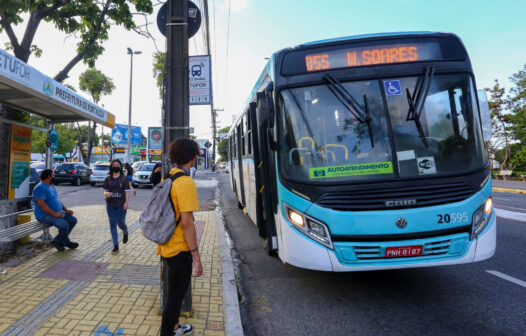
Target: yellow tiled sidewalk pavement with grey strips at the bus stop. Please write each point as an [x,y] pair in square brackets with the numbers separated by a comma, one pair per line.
[89,291]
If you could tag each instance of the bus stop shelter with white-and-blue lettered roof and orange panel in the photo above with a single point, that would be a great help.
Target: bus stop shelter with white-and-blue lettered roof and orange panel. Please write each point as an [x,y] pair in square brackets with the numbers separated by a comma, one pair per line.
[24,88]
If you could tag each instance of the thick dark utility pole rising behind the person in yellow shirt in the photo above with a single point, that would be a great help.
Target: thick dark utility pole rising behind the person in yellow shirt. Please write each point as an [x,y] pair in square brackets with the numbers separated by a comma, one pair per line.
[176,109]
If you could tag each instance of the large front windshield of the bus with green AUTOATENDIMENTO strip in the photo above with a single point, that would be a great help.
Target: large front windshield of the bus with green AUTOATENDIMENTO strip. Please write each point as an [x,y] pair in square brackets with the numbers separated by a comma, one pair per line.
[342,131]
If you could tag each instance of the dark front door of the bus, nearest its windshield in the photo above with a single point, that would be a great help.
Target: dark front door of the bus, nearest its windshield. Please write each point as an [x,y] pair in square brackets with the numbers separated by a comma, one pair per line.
[267,168]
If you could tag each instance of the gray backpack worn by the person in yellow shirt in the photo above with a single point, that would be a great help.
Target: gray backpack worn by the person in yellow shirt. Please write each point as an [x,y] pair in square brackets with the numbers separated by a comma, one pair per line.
[158,221]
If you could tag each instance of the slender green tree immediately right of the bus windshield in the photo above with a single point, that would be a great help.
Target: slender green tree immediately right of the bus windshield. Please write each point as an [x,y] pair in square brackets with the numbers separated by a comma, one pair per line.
[500,121]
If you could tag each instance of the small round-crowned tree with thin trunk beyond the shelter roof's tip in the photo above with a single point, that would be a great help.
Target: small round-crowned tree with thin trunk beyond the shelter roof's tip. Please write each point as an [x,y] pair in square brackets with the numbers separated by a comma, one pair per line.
[97,84]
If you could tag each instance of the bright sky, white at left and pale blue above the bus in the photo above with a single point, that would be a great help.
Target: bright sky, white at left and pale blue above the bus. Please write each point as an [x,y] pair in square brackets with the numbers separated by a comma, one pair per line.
[492,31]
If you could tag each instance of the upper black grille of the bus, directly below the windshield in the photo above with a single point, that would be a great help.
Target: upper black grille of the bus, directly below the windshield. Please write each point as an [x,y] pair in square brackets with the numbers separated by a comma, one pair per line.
[377,199]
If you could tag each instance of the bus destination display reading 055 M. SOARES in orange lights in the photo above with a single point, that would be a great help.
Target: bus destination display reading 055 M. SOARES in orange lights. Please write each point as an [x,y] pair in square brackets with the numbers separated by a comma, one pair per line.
[372,55]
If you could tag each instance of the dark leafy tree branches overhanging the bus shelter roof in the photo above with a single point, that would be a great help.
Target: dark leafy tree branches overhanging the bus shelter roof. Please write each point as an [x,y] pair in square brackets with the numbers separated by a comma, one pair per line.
[89,21]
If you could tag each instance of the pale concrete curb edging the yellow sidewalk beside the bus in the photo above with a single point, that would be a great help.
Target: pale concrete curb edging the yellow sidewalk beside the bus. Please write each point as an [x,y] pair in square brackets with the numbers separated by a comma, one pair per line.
[232,314]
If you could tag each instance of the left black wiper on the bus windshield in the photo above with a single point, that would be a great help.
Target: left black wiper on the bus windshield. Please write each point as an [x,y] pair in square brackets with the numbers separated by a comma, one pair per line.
[347,100]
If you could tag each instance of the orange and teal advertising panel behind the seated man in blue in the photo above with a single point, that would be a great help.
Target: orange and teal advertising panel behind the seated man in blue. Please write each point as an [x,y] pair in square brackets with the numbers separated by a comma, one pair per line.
[19,161]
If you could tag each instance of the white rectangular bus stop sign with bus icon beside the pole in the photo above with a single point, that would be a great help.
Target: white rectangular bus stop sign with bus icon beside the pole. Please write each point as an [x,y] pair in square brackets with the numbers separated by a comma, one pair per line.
[200,80]
